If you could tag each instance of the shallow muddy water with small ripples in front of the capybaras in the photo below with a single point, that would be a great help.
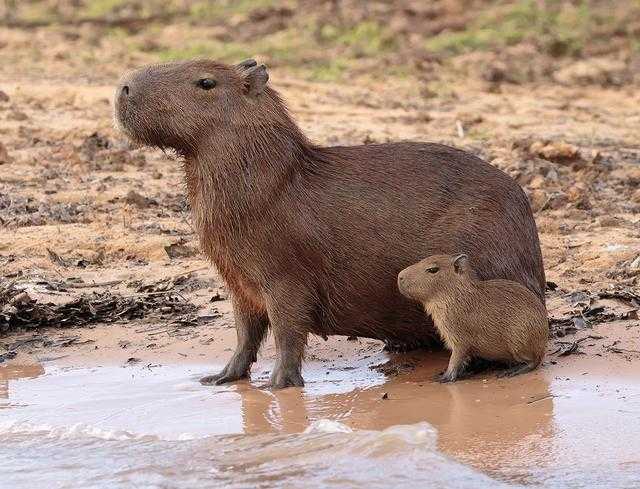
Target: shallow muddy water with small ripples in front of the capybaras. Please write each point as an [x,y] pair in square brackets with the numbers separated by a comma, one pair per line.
[155,426]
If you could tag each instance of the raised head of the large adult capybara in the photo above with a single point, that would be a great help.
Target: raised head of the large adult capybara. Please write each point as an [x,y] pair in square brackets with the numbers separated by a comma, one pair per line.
[178,105]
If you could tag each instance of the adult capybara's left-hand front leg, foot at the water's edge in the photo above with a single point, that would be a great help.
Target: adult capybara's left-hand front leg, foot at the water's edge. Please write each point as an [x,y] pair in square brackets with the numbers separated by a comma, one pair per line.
[251,328]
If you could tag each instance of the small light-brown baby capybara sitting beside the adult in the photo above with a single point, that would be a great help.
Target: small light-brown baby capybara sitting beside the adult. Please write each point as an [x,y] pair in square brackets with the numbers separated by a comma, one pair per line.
[491,319]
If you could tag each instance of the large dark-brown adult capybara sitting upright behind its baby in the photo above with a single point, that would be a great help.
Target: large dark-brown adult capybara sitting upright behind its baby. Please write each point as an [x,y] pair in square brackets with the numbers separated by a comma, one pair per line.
[310,239]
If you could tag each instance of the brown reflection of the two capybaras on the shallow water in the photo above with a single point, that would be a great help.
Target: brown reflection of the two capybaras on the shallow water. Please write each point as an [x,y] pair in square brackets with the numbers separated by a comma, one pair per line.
[492,424]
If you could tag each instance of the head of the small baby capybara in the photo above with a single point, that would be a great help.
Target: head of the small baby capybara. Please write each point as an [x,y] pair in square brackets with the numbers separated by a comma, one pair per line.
[424,279]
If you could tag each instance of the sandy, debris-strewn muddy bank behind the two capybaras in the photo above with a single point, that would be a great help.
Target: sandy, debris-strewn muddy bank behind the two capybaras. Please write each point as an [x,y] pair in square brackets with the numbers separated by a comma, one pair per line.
[102,232]
